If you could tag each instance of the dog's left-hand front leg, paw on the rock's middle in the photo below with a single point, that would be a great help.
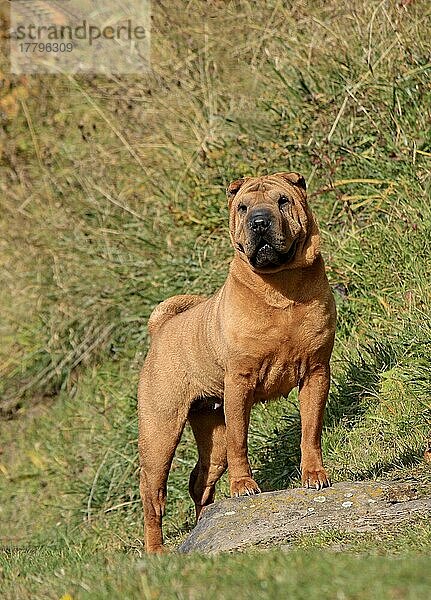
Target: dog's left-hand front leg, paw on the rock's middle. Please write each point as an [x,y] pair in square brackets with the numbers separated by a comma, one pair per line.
[238,400]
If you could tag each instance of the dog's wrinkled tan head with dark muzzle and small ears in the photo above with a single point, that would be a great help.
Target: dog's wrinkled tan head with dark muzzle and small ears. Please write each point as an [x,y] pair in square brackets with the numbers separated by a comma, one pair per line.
[269,219]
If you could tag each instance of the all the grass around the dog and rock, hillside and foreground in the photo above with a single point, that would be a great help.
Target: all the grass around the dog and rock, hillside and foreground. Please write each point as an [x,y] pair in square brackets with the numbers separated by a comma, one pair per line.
[113,199]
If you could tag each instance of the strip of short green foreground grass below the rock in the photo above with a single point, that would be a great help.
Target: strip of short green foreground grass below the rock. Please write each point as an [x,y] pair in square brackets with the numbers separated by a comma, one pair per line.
[85,573]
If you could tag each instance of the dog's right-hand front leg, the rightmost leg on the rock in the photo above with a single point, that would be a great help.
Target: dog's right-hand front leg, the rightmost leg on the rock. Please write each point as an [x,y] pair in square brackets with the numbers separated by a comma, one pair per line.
[313,393]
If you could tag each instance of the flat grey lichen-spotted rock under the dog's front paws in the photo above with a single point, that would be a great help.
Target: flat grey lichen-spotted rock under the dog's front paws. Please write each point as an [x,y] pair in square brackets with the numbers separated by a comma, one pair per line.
[274,518]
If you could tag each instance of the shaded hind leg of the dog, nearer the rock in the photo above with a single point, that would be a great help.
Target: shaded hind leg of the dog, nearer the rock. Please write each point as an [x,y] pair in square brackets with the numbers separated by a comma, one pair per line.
[209,429]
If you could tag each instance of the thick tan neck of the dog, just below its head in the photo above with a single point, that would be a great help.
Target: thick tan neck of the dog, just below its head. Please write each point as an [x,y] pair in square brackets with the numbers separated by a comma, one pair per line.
[284,288]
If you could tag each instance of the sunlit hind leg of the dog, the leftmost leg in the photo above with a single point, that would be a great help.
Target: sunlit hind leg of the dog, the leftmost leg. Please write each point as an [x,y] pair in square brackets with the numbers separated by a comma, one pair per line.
[159,434]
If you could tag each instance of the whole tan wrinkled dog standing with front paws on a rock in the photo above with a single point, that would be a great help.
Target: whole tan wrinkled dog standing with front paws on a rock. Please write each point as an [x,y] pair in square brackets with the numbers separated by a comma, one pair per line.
[269,329]
